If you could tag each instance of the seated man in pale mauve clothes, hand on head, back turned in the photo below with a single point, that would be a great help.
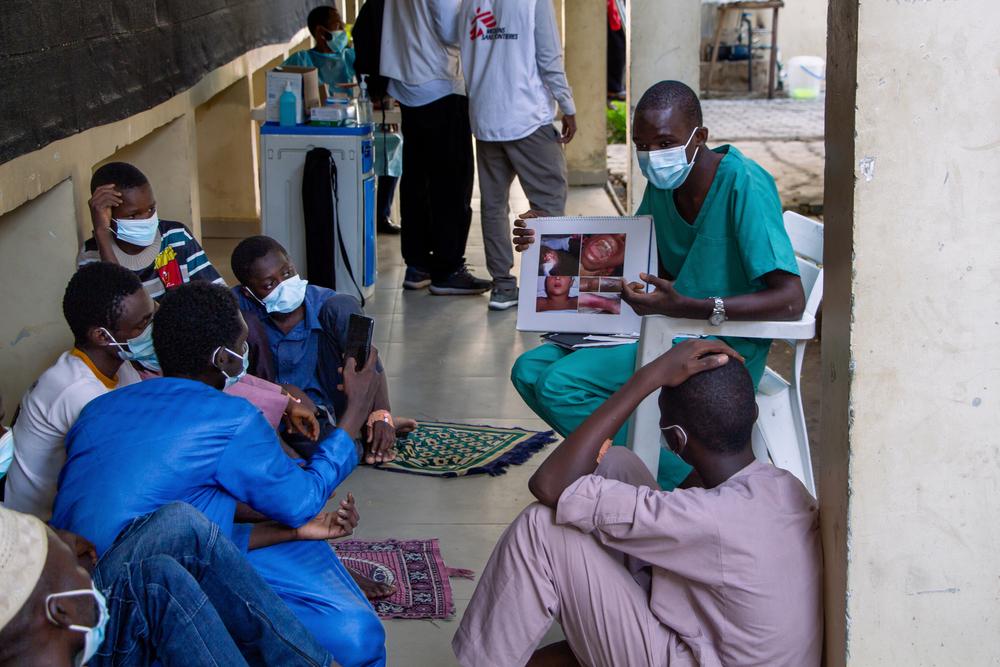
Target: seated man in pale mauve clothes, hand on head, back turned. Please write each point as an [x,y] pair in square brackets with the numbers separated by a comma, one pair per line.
[729,574]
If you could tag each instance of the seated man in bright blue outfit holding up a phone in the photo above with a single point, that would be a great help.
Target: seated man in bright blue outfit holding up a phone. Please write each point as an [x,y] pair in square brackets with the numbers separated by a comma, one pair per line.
[179,438]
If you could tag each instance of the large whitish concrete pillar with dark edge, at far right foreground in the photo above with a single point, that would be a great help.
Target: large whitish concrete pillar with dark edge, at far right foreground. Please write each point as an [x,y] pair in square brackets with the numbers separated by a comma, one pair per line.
[909,459]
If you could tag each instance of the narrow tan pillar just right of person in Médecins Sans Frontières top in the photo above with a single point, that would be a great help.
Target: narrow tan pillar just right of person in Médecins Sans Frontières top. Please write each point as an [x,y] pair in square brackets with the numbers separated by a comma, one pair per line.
[585,25]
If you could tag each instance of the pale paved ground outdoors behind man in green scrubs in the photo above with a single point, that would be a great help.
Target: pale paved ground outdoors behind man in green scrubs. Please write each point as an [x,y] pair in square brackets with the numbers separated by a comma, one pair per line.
[784,136]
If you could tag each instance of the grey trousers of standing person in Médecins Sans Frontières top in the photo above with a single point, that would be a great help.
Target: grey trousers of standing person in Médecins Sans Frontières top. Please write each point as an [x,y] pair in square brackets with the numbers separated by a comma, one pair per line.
[539,163]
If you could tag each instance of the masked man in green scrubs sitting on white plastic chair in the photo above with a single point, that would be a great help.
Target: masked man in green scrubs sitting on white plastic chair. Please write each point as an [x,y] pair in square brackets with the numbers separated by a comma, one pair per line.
[723,250]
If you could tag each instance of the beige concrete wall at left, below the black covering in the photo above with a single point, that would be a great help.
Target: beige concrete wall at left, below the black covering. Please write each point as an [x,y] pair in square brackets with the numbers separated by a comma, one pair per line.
[43,203]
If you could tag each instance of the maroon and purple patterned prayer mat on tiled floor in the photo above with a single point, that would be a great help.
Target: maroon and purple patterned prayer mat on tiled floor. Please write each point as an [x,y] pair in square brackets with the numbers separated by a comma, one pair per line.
[415,567]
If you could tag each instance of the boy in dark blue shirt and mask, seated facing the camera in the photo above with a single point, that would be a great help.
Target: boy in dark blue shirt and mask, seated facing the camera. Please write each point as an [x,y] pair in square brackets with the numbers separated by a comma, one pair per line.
[306,336]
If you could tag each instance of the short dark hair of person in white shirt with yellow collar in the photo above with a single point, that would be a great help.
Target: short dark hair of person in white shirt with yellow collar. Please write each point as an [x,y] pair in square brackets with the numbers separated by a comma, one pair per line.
[95,297]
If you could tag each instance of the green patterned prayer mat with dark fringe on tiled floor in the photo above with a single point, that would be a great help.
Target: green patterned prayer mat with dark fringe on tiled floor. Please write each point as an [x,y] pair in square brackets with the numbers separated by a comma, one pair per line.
[442,449]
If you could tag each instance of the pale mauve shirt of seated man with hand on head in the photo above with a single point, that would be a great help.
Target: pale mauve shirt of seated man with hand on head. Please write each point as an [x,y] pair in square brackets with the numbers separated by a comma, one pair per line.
[736,570]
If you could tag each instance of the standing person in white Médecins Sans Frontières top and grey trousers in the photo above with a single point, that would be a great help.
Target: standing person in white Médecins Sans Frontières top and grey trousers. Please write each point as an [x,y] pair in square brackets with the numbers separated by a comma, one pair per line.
[515,78]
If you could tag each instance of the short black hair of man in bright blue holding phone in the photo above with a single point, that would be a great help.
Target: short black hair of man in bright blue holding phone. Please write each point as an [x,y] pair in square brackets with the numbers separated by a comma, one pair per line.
[193,320]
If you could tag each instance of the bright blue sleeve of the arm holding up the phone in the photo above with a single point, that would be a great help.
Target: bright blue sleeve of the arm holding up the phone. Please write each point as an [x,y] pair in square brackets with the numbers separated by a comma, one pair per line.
[255,470]
